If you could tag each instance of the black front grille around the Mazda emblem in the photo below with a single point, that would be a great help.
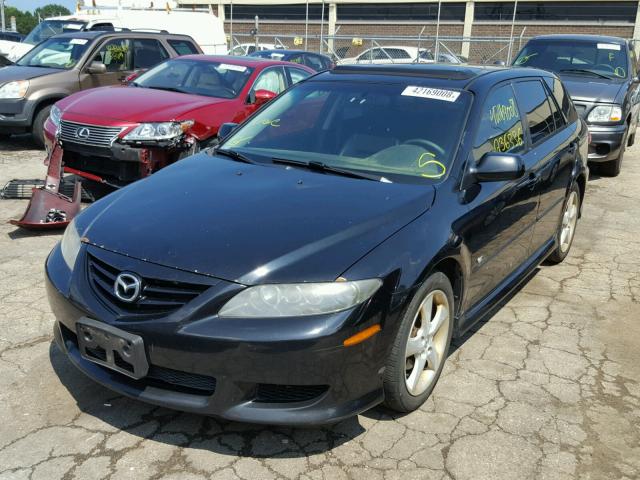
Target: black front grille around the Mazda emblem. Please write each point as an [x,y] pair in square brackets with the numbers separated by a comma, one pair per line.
[158,296]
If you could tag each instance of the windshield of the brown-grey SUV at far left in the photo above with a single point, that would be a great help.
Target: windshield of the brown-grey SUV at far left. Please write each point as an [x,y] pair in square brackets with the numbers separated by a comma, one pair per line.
[61,53]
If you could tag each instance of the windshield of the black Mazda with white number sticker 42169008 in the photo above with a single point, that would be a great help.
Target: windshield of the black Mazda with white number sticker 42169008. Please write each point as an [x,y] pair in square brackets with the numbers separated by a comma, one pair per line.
[403,132]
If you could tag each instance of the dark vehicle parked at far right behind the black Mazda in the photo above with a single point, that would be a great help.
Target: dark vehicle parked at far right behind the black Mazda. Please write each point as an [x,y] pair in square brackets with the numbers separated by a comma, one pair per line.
[601,75]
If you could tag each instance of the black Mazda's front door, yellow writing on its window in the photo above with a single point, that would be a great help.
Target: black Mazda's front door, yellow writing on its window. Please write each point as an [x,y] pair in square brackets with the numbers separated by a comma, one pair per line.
[503,213]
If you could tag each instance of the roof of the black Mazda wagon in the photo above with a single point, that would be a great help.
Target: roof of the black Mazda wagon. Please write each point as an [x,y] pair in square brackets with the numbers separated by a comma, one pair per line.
[456,76]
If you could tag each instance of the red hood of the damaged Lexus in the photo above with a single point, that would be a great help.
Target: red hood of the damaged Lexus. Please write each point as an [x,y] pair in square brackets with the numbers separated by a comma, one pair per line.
[131,104]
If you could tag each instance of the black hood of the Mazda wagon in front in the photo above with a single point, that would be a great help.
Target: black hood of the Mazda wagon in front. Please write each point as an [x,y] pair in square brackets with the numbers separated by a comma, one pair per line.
[251,223]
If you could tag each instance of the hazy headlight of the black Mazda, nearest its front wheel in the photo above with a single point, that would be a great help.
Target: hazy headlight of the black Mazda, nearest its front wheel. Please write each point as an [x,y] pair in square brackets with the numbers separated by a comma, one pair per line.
[295,300]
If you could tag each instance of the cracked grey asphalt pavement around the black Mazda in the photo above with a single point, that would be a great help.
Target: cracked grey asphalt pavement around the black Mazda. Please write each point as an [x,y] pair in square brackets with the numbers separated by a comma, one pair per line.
[548,388]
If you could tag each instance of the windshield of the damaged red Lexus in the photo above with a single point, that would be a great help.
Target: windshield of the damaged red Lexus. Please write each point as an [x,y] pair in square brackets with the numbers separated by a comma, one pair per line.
[198,77]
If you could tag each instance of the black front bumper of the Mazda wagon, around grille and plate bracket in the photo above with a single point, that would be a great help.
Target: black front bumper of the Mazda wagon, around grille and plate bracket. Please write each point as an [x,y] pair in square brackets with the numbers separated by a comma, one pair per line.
[272,371]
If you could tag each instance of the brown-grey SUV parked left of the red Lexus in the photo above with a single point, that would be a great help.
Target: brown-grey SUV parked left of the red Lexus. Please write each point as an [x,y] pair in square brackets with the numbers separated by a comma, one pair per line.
[66,63]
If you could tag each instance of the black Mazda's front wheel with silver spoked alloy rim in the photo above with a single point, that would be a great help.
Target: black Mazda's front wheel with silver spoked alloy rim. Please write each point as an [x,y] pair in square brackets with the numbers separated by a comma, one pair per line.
[406,385]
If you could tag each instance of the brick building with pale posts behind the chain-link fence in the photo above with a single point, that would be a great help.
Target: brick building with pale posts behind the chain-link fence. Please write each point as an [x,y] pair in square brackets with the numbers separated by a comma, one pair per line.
[475,19]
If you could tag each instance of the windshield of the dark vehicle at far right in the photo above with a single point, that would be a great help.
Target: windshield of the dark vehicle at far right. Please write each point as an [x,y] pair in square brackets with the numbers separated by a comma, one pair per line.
[600,58]
